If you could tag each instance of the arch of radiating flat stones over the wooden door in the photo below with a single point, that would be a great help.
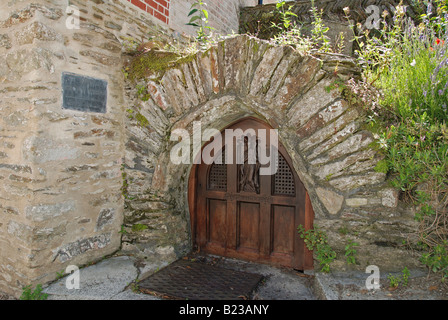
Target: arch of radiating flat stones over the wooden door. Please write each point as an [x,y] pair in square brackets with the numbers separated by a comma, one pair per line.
[244,76]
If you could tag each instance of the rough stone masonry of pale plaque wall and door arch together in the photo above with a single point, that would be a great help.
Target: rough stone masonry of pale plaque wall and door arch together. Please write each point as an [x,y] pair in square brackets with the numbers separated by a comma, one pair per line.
[77,186]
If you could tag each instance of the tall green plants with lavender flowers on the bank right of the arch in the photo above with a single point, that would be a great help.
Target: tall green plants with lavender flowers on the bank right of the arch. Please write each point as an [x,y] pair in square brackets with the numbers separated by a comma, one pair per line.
[408,65]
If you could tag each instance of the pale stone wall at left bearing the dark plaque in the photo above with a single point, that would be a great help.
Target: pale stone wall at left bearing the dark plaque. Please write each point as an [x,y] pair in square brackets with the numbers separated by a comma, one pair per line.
[60,170]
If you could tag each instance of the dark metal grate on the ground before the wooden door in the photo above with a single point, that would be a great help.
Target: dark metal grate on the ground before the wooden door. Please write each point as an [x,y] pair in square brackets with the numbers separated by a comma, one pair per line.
[186,279]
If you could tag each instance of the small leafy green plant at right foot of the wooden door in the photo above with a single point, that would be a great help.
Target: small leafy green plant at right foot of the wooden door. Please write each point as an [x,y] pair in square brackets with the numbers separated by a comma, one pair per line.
[316,240]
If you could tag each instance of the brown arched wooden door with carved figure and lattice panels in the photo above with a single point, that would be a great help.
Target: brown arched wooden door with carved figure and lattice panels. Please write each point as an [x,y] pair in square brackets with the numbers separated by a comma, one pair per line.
[236,212]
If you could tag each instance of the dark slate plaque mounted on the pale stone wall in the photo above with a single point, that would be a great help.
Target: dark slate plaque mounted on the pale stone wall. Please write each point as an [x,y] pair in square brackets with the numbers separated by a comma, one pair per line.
[83,93]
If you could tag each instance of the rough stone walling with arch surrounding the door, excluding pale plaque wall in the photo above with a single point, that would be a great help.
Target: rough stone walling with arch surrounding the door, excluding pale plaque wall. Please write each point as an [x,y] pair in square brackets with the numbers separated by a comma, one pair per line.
[322,132]
